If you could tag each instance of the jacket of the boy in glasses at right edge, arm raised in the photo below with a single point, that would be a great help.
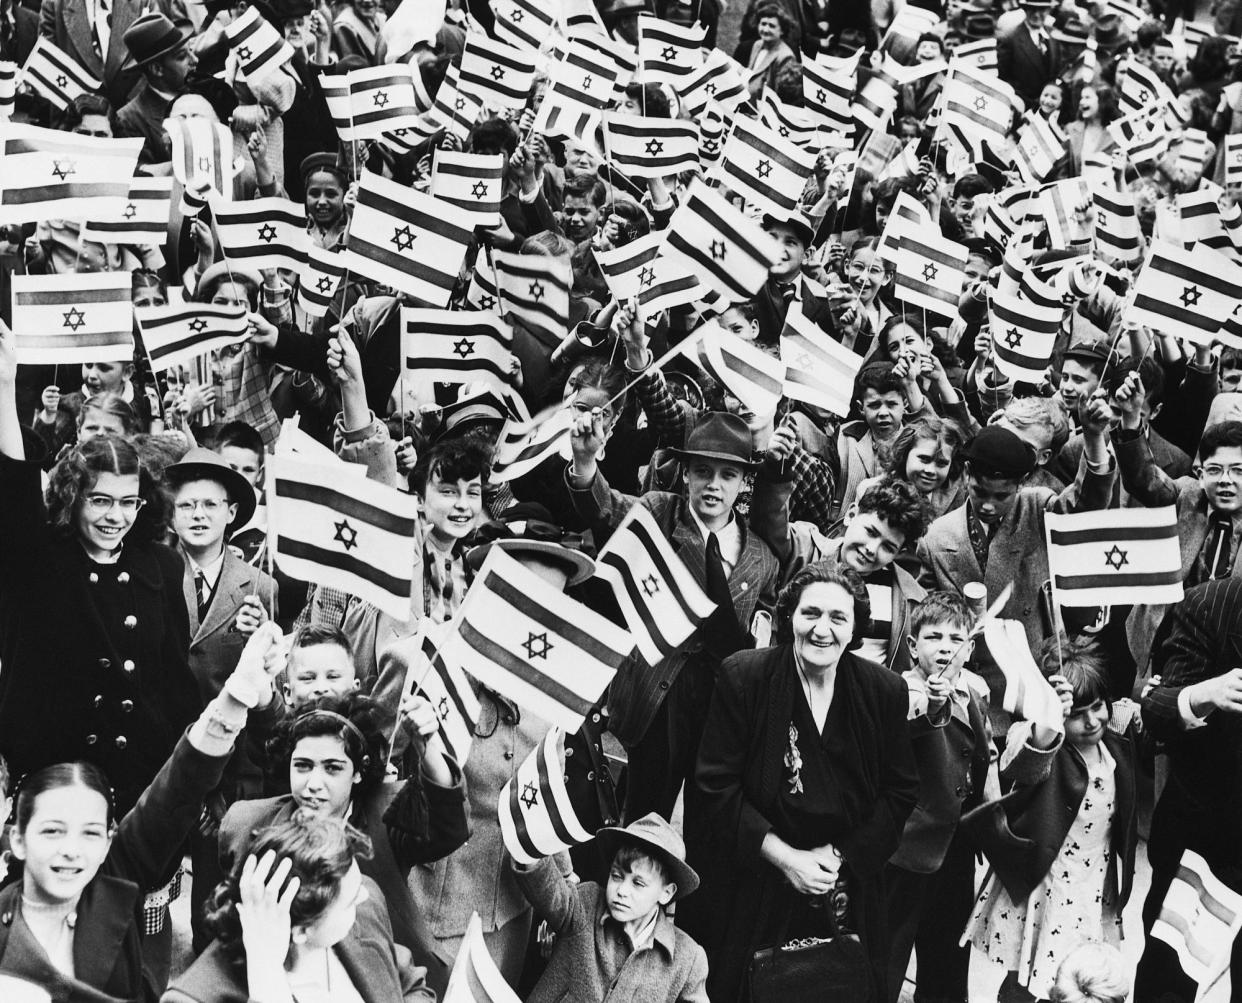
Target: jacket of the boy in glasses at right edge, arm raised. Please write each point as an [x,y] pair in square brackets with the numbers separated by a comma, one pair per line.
[1151,486]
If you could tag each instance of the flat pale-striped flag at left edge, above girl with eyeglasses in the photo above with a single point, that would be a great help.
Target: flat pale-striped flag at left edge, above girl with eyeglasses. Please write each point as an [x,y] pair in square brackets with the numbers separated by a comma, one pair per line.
[71,318]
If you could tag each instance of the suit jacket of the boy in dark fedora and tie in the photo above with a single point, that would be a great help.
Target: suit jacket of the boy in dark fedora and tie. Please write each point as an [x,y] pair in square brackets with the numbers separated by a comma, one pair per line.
[638,690]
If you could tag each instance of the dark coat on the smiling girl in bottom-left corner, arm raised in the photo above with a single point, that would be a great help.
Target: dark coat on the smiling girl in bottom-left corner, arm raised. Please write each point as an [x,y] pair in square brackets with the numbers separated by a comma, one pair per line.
[107,943]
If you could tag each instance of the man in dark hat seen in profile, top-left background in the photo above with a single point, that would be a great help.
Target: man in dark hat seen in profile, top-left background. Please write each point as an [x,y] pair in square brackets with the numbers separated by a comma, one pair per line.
[162,52]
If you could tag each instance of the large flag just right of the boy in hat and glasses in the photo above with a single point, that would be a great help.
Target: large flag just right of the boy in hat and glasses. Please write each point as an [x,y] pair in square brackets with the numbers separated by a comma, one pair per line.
[357,536]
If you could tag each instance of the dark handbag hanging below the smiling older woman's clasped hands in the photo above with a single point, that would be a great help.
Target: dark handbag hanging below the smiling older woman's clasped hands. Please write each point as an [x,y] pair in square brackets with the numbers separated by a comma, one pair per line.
[825,970]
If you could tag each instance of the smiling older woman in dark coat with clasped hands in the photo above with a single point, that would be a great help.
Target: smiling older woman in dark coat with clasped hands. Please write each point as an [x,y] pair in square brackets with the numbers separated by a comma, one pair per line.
[805,780]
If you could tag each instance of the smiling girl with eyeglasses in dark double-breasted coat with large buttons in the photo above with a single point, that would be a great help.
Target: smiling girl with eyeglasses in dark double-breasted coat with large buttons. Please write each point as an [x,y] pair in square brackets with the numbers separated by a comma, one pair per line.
[94,627]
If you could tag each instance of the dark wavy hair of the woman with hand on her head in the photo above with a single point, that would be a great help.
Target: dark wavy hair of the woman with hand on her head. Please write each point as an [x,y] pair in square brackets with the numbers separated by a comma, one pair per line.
[321,851]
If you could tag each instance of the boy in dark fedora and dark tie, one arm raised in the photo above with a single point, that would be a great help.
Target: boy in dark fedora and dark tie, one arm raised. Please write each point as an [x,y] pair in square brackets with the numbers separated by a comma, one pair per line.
[659,712]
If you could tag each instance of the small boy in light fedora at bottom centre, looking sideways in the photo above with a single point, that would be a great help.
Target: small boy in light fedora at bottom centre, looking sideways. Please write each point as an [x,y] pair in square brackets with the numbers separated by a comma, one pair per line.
[618,942]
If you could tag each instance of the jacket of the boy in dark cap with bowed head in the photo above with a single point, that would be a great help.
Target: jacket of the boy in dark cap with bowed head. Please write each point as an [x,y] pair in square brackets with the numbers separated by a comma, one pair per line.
[1018,553]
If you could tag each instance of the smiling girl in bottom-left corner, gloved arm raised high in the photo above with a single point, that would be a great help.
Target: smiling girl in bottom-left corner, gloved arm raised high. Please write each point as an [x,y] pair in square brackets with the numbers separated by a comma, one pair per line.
[73,922]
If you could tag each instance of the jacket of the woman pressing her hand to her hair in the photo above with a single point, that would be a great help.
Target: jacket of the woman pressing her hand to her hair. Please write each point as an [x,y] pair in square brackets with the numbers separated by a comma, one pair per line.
[381,970]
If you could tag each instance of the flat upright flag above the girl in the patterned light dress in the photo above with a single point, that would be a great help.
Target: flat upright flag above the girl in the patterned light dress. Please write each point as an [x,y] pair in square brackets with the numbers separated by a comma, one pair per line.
[1117,557]
